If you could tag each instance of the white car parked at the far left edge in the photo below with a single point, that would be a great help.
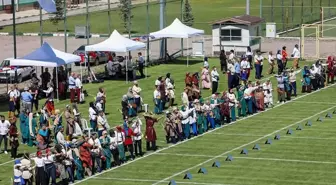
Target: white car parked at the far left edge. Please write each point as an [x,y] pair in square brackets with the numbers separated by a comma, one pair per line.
[7,72]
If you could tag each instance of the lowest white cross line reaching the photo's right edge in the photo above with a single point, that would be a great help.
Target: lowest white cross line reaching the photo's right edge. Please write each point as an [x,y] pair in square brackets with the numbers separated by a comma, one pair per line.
[251,158]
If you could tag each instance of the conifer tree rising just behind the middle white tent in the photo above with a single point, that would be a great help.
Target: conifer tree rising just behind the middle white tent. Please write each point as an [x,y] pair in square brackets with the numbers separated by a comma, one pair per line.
[125,13]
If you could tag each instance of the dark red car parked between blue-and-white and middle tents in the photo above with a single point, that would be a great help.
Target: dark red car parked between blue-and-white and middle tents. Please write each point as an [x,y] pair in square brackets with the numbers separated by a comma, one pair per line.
[96,57]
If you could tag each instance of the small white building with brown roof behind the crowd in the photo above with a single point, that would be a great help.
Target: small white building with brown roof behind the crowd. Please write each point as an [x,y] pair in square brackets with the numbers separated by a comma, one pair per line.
[236,34]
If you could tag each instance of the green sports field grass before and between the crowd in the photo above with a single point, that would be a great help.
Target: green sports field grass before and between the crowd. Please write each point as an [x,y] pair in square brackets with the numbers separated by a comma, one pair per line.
[305,151]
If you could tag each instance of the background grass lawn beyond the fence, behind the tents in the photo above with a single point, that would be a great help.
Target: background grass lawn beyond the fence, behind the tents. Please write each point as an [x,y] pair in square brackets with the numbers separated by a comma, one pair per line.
[204,12]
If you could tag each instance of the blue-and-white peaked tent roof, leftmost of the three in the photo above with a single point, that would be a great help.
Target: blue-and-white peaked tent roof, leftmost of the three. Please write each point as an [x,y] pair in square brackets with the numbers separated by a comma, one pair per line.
[46,56]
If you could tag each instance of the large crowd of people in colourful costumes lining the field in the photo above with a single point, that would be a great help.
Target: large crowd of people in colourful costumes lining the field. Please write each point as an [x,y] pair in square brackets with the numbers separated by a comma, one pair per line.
[72,149]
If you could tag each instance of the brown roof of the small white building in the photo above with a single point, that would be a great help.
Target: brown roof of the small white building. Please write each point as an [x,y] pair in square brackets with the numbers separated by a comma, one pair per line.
[242,19]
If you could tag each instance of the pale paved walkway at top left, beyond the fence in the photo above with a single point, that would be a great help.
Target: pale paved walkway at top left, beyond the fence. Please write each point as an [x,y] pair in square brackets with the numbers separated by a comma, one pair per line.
[34,15]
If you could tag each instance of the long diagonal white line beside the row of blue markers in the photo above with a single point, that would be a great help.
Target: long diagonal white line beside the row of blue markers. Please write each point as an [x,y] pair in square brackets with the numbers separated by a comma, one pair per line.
[265,136]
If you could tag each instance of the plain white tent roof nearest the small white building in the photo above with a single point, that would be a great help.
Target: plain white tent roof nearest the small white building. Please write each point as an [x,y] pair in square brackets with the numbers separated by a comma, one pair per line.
[177,30]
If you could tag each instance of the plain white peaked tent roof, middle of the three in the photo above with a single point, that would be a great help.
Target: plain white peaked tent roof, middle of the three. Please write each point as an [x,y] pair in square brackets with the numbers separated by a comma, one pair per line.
[116,43]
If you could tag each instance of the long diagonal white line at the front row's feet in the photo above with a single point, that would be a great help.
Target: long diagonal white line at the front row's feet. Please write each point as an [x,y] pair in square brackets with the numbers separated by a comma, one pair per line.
[177,144]
